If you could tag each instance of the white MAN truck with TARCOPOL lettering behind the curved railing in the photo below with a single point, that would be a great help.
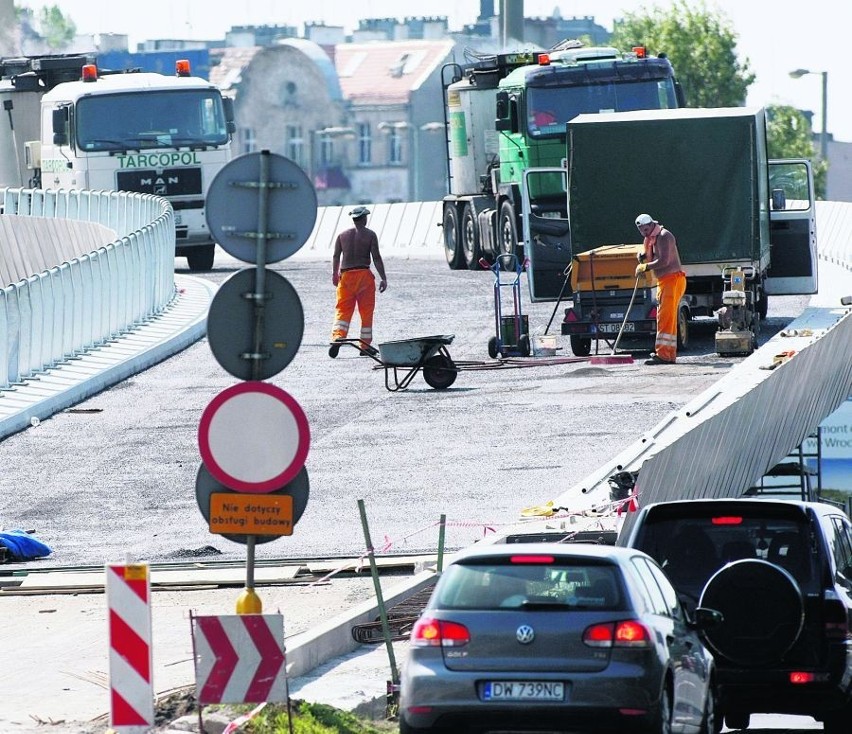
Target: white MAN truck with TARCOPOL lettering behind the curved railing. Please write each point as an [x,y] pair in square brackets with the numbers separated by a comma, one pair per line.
[70,125]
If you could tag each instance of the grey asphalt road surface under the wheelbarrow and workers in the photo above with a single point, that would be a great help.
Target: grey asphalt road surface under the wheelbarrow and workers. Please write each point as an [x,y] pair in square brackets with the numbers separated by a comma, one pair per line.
[116,475]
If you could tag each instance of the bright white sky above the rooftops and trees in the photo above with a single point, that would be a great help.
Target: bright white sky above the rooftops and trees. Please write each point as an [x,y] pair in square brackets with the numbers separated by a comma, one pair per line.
[775,36]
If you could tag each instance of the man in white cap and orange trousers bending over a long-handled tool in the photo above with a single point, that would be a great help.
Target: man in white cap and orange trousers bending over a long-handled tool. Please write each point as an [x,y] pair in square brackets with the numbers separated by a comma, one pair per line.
[661,257]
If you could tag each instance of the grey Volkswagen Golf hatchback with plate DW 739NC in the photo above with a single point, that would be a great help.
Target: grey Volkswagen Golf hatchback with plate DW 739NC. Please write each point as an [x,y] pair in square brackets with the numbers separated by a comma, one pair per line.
[557,638]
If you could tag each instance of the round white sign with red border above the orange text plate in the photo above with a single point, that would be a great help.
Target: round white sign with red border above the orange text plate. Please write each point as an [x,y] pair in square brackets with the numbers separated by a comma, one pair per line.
[253,437]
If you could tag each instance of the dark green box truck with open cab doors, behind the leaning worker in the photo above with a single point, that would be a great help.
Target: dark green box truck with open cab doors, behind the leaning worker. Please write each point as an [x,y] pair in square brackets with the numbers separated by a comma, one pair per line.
[744,224]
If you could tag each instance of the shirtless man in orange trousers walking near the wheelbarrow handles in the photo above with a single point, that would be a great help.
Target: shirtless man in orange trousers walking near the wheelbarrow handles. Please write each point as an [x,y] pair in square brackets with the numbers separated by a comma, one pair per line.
[354,250]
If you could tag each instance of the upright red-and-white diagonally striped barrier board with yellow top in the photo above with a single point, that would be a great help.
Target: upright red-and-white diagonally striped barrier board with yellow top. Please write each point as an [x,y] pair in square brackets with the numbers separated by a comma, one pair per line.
[130,665]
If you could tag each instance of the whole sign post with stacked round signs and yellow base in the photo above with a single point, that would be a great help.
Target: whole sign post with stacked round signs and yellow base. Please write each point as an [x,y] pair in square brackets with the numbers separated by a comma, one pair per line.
[284,204]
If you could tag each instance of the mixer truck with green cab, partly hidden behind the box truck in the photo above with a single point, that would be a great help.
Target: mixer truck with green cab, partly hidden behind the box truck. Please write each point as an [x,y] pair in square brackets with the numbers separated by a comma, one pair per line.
[508,112]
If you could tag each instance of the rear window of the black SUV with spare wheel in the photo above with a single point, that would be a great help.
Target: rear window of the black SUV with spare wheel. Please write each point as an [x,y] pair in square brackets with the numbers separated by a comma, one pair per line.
[690,549]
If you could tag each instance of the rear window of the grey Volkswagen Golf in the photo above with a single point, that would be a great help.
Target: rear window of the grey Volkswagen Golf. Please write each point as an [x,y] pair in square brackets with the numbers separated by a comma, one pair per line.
[507,583]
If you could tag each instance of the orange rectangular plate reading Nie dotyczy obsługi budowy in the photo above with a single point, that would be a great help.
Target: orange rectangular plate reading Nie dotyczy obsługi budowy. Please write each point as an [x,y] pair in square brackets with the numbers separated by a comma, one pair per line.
[251,514]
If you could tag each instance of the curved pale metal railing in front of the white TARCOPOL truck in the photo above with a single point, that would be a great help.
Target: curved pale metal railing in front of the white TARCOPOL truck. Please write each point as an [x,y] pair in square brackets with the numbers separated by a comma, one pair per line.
[95,296]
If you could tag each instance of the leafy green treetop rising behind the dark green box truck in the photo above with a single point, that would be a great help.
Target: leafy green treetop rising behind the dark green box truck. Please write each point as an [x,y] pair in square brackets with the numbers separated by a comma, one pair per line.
[701,46]
